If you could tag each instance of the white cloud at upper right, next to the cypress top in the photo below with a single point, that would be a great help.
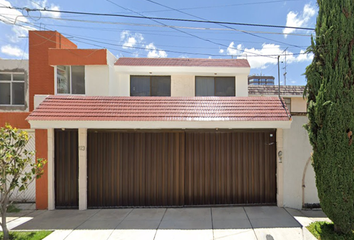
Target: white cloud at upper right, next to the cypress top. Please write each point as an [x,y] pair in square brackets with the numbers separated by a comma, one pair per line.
[294,19]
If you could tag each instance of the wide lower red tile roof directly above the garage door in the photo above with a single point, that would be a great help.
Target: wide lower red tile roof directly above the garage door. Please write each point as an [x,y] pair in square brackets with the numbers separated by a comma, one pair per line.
[84,108]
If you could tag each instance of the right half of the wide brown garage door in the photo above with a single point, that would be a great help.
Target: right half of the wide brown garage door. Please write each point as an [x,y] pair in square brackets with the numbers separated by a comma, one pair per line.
[230,168]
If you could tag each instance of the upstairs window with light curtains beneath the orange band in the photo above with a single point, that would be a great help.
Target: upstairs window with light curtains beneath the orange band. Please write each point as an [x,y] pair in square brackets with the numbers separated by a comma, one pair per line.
[70,80]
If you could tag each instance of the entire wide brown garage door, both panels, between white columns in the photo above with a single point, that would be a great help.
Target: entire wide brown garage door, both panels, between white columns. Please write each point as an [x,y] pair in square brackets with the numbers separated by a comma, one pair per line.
[181,168]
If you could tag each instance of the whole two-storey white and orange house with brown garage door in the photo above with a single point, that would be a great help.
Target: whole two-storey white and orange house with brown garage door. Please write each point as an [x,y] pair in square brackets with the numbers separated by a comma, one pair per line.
[159,132]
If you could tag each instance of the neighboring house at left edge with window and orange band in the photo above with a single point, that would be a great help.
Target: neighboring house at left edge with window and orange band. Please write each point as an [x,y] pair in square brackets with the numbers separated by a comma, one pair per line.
[14,109]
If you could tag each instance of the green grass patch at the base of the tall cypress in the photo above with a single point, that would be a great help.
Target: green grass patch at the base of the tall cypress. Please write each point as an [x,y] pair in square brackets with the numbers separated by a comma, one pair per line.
[325,231]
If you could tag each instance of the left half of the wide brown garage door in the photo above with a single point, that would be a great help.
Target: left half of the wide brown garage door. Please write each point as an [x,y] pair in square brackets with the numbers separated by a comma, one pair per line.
[135,169]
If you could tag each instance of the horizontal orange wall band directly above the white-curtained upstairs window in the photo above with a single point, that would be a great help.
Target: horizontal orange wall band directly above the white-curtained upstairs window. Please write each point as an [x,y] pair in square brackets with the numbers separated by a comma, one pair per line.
[77,57]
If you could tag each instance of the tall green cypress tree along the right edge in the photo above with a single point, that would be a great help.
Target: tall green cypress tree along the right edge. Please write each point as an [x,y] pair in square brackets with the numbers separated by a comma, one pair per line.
[330,92]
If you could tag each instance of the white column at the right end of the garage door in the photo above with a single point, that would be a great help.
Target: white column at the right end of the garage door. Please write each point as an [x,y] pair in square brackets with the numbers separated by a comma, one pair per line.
[280,170]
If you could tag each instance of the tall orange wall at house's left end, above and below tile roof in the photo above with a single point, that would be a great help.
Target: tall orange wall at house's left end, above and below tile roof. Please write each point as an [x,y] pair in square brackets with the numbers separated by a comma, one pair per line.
[41,81]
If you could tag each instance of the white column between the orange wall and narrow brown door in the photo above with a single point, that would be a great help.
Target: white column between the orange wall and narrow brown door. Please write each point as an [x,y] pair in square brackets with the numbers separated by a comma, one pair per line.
[50,167]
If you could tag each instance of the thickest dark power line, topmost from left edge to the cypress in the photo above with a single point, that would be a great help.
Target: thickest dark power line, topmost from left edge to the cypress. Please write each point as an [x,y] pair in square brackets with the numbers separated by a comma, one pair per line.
[156,18]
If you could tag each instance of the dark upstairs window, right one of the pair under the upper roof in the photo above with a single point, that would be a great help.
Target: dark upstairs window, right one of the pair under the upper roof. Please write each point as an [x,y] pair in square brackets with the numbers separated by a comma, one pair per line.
[215,86]
